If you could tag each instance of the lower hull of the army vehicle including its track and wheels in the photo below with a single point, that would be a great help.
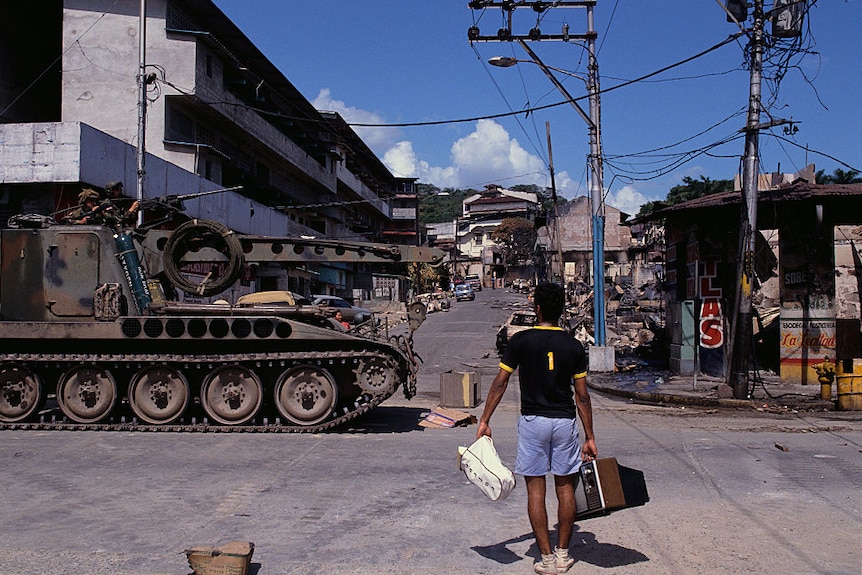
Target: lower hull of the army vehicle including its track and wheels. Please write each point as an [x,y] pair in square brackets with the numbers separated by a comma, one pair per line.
[192,372]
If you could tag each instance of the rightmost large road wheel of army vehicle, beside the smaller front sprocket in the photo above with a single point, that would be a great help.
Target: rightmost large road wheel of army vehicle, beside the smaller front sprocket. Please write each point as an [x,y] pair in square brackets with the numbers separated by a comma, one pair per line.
[306,394]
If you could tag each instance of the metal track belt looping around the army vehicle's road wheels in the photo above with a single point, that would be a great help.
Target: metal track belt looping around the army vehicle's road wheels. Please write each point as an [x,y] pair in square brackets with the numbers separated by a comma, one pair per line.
[364,403]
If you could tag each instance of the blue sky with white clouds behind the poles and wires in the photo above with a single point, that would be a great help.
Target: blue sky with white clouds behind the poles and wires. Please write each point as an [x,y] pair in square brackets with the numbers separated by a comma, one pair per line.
[387,62]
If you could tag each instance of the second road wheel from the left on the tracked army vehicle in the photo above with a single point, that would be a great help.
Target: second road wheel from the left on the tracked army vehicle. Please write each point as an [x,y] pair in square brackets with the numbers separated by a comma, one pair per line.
[86,393]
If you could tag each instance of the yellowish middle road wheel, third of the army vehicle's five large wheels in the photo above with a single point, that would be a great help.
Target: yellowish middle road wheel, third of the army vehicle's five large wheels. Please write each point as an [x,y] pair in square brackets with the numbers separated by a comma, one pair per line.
[159,394]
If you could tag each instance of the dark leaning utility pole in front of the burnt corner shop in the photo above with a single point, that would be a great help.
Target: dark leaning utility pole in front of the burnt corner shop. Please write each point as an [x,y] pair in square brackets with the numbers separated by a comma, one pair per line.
[741,330]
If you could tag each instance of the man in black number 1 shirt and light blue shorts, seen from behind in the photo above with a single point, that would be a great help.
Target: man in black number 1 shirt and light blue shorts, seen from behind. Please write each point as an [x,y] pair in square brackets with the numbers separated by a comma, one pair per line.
[550,360]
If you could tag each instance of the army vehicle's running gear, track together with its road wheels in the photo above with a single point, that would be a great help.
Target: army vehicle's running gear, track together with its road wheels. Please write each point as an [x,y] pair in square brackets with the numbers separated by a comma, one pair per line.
[304,398]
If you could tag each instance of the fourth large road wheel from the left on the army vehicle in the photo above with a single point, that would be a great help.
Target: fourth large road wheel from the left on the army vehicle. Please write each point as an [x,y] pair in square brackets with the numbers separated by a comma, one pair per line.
[231,394]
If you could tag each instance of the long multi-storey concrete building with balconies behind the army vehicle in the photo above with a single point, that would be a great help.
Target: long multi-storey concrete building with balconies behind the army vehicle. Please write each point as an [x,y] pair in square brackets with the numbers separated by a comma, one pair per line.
[219,114]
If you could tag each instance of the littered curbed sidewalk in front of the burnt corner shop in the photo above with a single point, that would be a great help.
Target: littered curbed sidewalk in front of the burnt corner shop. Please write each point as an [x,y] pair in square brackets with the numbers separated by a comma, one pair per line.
[769,393]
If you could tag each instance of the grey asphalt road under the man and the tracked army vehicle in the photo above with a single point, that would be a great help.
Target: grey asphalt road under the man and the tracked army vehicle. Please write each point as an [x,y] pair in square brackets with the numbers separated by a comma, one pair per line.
[730,492]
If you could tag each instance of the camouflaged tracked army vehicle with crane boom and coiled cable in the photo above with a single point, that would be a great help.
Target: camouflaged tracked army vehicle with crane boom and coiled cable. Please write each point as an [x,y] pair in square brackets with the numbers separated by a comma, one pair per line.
[83,323]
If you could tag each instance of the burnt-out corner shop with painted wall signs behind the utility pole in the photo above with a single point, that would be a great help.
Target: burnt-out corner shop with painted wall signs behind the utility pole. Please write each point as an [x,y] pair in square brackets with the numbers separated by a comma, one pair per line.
[807,284]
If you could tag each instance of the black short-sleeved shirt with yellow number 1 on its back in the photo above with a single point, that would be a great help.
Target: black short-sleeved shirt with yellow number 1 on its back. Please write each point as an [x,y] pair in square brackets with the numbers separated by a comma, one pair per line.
[548,359]
